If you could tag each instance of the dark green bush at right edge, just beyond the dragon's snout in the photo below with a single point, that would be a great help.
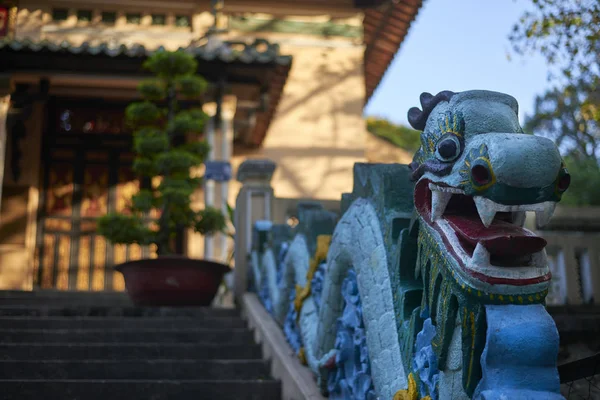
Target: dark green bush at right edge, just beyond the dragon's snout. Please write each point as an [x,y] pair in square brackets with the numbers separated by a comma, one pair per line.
[585,182]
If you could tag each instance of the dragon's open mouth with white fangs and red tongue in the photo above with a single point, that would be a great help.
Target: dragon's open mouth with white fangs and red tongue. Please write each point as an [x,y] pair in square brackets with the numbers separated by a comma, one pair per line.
[486,238]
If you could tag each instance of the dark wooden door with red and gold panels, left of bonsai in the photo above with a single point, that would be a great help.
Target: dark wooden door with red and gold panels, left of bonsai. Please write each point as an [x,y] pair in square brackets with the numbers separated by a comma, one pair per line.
[87,173]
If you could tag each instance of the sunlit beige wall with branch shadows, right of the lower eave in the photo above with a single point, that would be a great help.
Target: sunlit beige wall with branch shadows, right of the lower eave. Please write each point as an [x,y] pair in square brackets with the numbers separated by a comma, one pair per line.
[318,132]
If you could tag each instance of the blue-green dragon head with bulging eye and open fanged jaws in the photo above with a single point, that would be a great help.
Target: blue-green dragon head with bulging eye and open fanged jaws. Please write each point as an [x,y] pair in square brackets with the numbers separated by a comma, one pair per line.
[476,175]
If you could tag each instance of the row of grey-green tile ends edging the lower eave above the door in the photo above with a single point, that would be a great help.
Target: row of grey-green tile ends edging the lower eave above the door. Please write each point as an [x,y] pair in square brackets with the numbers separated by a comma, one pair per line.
[258,52]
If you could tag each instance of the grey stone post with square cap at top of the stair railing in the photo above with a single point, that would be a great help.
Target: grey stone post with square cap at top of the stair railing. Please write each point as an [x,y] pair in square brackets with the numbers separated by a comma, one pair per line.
[254,203]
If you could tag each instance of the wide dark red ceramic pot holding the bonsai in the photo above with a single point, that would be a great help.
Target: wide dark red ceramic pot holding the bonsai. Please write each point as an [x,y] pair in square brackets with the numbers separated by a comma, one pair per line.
[172,281]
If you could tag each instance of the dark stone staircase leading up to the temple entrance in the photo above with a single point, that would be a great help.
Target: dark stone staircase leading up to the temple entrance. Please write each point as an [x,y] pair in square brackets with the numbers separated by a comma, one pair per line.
[97,346]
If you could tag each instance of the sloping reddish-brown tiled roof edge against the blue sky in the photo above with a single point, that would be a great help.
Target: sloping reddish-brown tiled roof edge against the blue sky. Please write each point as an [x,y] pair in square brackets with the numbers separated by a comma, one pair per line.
[384,30]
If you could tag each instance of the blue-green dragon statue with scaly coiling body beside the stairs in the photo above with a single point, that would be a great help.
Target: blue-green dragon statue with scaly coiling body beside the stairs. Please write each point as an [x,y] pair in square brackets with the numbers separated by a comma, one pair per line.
[428,286]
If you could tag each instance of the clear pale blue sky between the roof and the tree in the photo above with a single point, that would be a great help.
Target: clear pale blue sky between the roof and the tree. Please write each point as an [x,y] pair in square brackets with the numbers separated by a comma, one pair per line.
[460,45]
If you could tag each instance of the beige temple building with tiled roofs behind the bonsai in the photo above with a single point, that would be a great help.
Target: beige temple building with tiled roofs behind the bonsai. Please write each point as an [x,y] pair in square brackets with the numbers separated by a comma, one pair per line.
[288,81]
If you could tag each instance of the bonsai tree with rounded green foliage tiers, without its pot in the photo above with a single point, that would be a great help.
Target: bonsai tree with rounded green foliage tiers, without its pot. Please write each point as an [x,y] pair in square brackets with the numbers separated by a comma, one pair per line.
[160,127]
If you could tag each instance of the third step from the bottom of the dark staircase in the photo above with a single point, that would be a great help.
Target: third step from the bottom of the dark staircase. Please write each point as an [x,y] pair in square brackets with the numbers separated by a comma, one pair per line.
[127,351]
